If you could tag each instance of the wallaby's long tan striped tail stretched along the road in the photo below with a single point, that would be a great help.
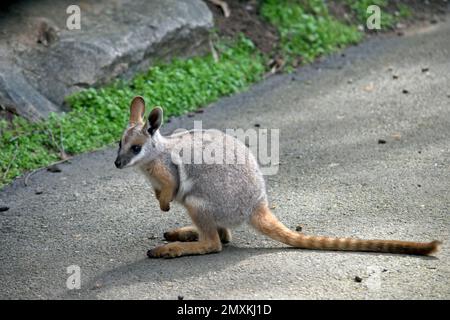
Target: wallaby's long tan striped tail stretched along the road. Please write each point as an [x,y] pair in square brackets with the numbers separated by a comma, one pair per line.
[265,222]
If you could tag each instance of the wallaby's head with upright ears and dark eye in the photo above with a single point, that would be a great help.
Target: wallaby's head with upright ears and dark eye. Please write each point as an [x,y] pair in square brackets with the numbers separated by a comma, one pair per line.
[141,140]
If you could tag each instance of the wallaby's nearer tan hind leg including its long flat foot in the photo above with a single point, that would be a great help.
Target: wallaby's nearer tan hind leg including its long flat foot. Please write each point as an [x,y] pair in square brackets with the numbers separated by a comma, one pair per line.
[208,240]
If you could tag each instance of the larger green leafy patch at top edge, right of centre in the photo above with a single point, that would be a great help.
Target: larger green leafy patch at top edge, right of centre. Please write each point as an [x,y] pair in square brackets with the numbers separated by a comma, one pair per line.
[307,31]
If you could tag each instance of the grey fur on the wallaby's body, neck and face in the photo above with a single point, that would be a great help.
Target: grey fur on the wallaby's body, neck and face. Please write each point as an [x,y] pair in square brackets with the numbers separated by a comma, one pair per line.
[225,194]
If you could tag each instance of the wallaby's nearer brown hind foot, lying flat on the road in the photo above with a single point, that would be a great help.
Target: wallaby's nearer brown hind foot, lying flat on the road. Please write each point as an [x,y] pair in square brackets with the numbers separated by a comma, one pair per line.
[178,249]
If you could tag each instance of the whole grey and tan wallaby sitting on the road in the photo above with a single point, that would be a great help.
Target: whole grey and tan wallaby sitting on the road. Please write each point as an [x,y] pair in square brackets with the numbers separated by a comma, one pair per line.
[219,196]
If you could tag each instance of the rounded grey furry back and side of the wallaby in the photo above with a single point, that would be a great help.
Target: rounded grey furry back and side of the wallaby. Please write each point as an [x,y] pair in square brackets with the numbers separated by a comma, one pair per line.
[230,187]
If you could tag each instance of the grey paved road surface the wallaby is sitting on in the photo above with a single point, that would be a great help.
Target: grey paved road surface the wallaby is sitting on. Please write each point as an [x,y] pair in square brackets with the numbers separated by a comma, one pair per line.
[334,179]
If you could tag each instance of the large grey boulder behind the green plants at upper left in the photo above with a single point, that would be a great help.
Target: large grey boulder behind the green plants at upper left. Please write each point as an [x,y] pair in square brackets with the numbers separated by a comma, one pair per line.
[42,61]
